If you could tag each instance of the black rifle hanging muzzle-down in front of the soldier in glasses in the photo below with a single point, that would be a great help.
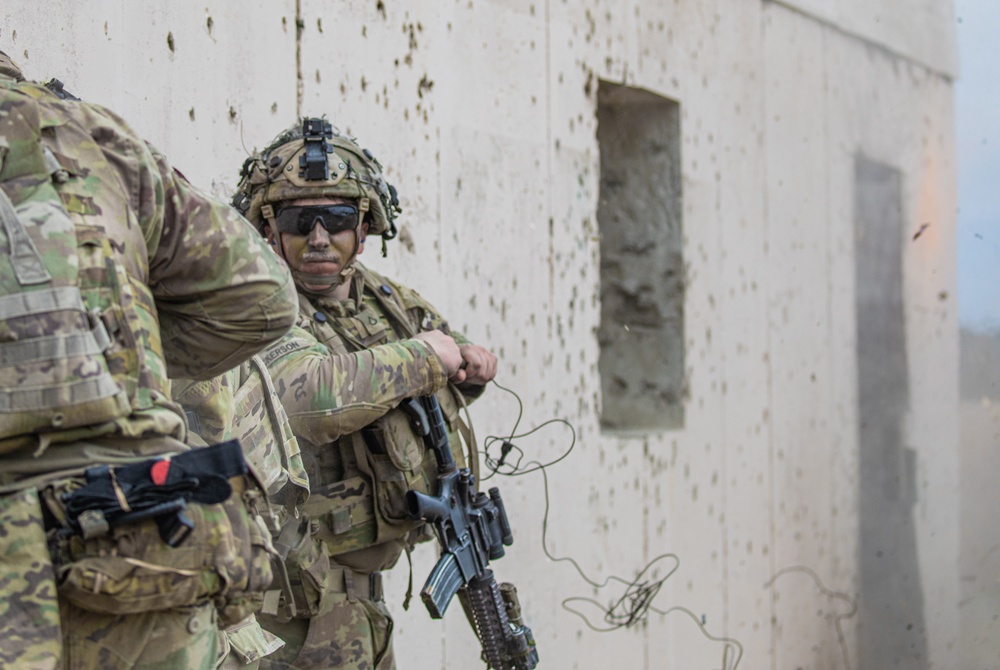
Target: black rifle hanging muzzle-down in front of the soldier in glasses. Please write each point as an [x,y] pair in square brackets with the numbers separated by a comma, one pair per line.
[472,529]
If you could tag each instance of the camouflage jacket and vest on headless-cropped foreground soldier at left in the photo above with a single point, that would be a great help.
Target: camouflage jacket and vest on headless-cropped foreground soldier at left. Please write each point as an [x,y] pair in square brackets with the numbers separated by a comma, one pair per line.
[178,282]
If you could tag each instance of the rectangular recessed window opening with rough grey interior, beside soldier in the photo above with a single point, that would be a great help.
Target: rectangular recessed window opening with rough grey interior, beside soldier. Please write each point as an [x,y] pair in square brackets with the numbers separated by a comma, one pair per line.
[641,334]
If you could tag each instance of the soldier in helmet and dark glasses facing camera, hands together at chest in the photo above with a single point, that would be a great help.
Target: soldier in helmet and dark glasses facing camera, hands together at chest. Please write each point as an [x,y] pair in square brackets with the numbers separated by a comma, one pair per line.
[316,195]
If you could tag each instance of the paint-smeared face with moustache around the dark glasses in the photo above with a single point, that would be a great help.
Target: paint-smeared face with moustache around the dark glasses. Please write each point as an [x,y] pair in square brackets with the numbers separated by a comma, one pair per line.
[319,254]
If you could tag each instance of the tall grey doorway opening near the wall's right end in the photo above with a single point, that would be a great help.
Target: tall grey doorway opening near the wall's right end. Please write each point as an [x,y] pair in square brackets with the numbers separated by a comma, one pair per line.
[891,623]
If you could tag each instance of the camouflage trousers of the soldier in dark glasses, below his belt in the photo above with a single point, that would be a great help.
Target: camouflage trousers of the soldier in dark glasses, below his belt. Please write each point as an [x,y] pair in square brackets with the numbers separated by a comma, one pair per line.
[353,632]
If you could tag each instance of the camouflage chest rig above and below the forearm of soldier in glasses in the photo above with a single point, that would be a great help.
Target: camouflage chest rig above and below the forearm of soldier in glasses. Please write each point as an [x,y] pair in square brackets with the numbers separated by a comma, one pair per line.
[358,487]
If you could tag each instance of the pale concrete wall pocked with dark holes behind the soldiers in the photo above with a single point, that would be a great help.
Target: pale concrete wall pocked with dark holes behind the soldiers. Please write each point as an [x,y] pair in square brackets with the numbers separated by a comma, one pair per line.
[485,114]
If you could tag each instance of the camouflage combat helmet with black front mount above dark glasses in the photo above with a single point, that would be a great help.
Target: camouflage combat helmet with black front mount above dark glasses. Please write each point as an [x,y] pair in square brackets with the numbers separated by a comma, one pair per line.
[314,159]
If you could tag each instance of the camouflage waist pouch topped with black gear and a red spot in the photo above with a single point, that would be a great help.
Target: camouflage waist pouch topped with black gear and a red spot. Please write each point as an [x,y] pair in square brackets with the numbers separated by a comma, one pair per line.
[119,553]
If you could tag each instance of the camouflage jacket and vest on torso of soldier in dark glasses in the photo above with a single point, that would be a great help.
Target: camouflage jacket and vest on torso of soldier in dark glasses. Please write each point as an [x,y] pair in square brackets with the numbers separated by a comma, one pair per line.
[341,374]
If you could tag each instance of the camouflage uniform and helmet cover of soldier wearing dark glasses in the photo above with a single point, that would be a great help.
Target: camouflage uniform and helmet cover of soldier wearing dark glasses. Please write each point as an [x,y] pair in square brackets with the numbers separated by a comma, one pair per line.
[341,372]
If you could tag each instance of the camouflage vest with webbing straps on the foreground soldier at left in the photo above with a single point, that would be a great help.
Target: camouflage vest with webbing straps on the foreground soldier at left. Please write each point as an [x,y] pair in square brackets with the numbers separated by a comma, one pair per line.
[69,359]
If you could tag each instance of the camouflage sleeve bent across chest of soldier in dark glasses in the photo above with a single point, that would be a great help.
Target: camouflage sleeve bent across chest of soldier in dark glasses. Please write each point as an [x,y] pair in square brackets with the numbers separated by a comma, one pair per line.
[327,395]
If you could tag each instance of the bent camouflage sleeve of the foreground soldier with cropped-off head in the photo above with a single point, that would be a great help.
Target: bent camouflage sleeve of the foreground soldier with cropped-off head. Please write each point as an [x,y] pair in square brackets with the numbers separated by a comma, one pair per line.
[222,295]
